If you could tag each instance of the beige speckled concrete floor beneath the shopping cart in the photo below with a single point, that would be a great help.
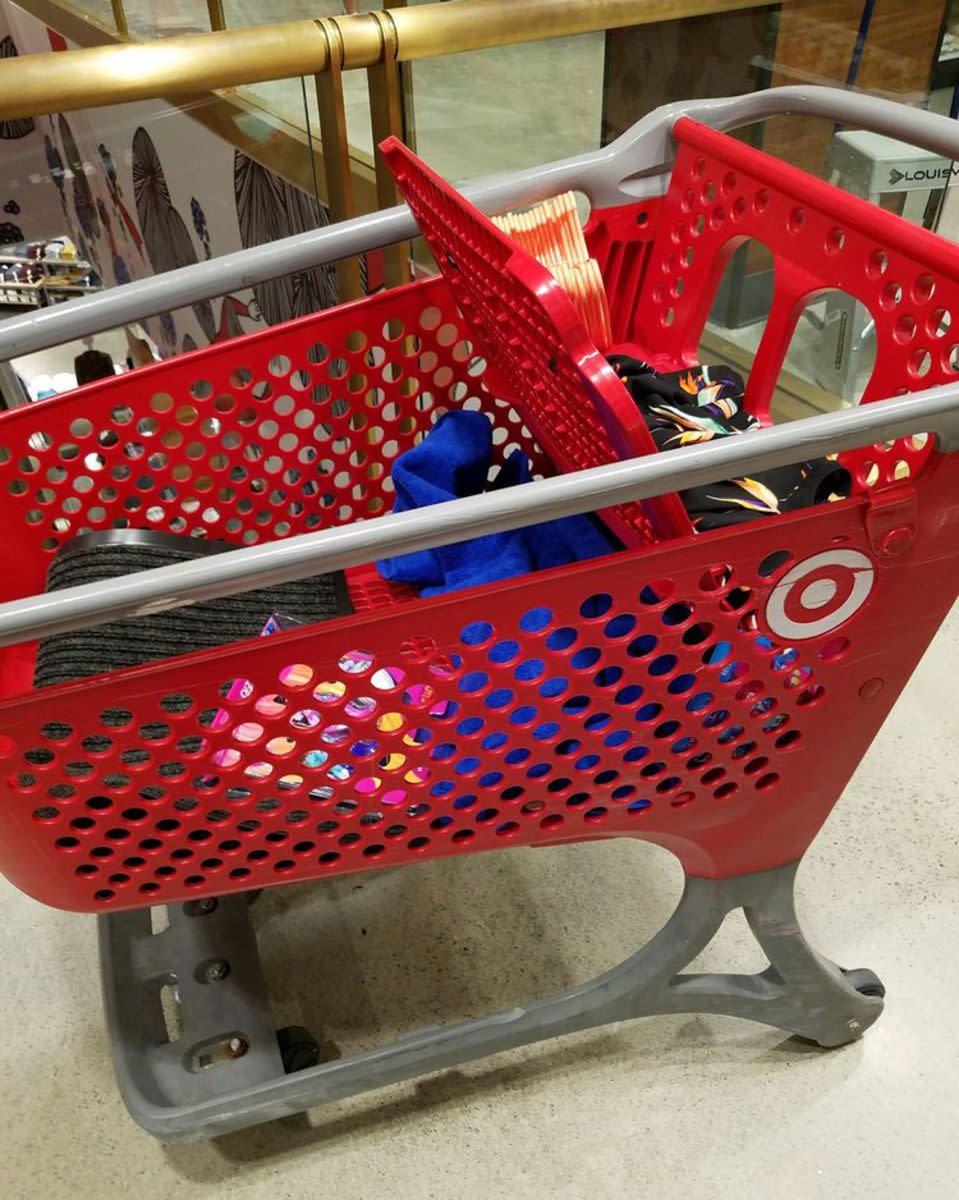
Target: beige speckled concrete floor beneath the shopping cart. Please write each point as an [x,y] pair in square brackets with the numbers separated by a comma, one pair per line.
[667,1107]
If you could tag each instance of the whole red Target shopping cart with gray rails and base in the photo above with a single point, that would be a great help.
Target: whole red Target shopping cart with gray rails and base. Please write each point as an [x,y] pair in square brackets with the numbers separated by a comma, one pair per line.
[709,693]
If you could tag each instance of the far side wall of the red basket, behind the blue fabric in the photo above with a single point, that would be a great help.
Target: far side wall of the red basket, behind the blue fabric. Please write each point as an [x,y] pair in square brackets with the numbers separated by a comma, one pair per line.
[281,433]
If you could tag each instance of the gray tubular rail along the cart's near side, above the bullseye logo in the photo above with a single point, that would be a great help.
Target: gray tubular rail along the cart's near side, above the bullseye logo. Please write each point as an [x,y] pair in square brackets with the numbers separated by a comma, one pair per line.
[242,571]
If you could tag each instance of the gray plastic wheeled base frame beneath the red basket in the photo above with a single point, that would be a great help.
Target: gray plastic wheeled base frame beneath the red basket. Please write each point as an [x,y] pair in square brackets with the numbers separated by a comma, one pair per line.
[225,1071]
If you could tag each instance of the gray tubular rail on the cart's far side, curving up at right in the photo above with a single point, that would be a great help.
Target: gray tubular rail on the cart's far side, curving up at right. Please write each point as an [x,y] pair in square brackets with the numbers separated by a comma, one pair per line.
[631,169]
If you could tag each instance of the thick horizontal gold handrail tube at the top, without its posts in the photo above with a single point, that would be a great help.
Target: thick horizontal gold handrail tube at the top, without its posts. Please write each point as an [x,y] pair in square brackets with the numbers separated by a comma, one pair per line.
[35,85]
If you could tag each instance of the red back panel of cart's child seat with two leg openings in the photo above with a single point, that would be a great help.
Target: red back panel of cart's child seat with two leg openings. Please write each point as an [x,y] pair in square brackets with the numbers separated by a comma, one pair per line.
[722,193]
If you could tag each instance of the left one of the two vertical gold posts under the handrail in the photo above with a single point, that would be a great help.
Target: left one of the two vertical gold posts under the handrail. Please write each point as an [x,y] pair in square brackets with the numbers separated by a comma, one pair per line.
[335,143]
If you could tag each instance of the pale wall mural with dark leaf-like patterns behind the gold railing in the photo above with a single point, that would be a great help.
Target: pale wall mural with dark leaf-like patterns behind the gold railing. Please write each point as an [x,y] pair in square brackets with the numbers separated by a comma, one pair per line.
[142,189]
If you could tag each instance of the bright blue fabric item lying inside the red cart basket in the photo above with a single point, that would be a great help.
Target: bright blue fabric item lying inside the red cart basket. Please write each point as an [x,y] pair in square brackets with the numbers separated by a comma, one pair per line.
[454,461]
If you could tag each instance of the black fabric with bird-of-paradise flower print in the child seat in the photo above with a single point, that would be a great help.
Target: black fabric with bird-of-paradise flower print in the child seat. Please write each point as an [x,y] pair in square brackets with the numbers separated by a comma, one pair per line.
[688,407]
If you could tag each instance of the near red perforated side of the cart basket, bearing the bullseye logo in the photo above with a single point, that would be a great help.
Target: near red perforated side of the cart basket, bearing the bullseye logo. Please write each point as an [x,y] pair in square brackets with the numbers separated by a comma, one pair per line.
[640,695]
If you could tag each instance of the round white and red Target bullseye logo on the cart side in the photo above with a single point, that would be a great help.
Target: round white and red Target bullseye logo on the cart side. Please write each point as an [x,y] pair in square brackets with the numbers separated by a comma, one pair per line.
[819,595]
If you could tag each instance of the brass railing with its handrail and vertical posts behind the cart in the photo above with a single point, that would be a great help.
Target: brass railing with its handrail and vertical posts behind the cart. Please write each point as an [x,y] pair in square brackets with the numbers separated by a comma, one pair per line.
[209,65]
